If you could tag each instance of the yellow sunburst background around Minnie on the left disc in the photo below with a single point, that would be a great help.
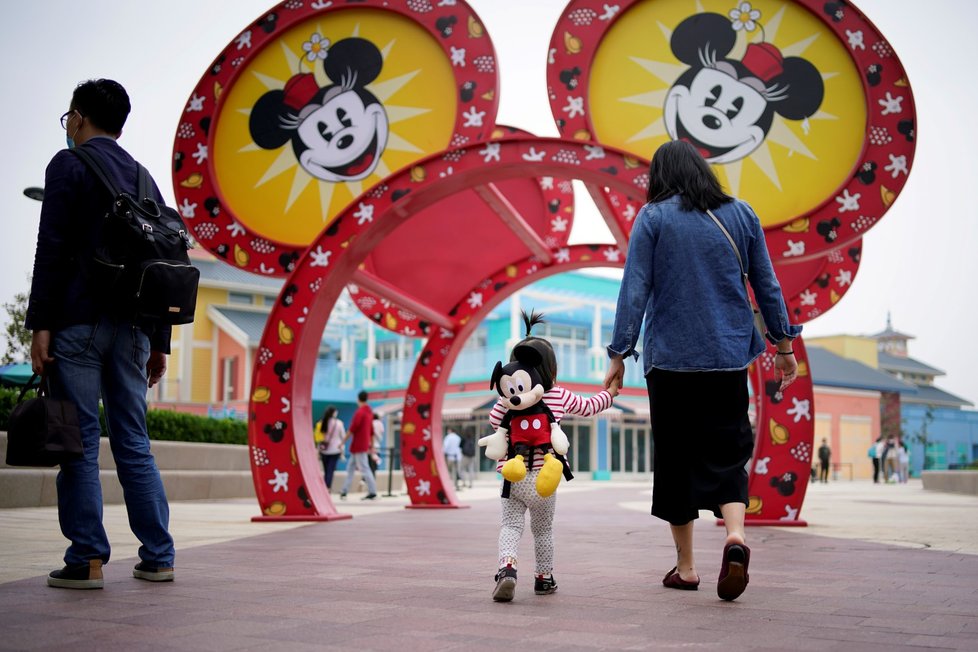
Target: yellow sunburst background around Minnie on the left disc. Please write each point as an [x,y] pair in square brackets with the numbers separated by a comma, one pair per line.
[267,190]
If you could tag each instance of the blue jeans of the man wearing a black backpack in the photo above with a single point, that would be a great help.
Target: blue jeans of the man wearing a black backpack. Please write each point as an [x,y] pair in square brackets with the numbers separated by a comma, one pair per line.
[108,359]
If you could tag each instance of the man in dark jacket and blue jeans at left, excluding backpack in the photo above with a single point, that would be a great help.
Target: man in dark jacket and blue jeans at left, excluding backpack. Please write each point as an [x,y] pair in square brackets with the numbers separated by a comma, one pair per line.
[91,347]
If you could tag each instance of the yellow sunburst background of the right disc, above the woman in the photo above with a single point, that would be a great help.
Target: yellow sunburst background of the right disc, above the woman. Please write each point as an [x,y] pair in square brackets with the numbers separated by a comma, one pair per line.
[799,165]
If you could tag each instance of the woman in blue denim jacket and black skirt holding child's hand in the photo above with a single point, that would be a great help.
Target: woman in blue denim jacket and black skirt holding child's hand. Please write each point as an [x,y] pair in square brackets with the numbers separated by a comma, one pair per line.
[691,252]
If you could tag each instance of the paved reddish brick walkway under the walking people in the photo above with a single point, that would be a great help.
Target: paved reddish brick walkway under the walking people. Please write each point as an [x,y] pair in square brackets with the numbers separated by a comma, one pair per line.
[402,580]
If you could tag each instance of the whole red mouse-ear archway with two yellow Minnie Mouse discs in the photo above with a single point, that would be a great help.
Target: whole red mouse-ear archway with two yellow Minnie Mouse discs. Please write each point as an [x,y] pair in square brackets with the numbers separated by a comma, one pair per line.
[814,236]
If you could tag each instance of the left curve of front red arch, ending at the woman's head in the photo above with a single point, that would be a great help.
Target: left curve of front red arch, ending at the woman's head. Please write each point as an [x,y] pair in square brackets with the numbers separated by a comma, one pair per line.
[279,432]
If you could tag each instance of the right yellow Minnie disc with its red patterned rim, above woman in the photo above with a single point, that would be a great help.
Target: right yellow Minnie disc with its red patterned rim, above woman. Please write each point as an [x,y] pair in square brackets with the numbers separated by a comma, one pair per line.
[867,109]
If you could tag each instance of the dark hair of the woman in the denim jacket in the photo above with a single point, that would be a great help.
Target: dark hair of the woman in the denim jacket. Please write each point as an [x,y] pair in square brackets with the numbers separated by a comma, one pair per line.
[678,169]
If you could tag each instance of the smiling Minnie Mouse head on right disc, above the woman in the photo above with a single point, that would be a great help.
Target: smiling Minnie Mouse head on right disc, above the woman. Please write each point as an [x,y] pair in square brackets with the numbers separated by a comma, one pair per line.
[725,107]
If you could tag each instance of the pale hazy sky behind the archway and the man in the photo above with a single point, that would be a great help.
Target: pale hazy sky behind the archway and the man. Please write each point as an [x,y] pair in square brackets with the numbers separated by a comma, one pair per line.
[918,263]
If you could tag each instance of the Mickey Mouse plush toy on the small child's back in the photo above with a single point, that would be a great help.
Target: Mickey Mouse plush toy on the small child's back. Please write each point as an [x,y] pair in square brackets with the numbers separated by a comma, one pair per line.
[528,426]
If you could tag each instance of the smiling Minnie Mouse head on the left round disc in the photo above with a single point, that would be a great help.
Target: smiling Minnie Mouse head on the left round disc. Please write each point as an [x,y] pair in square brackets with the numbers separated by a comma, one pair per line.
[339,131]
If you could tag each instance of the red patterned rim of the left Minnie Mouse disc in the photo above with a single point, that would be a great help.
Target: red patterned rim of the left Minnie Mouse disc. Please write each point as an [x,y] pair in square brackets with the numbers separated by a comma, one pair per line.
[198,196]
